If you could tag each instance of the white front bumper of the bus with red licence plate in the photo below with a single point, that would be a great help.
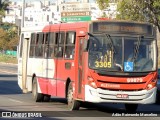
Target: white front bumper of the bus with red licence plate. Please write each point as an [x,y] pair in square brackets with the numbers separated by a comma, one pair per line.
[107,96]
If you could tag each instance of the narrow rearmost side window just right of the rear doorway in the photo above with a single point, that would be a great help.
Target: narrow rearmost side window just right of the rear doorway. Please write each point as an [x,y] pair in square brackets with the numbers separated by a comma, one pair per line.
[32,45]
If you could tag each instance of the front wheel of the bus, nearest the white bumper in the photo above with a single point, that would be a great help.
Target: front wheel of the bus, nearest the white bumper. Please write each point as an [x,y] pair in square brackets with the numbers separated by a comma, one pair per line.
[72,104]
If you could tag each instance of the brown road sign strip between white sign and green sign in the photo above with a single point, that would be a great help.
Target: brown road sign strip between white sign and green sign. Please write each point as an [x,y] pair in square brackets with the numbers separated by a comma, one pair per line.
[80,13]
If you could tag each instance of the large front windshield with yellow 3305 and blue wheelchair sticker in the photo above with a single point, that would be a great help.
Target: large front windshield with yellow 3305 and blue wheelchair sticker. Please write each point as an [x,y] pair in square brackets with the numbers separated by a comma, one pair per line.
[127,54]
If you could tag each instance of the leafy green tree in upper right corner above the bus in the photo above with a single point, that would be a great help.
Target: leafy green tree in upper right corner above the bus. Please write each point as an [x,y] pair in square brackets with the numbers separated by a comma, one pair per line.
[140,10]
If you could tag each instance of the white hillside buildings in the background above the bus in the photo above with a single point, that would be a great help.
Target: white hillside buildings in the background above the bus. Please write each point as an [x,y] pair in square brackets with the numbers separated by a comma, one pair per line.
[38,13]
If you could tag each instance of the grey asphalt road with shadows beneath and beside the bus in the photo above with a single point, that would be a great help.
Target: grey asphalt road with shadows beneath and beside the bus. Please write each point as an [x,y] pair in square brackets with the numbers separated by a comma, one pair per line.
[14,102]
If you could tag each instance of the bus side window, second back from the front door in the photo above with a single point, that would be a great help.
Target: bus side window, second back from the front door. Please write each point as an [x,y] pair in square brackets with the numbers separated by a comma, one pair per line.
[59,45]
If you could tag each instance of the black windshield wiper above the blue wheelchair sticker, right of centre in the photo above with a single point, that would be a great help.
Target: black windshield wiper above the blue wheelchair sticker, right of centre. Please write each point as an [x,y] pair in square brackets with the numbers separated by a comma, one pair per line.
[136,50]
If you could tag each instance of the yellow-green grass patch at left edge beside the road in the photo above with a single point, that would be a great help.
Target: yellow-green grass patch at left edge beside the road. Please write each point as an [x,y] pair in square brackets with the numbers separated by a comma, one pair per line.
[8,59]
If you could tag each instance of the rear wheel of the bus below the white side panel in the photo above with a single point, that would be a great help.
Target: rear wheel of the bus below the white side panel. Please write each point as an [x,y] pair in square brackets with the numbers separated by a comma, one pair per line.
[38,97]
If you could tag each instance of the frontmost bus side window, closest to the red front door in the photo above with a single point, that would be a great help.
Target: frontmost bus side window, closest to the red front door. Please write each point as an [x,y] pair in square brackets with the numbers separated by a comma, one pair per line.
[70,45]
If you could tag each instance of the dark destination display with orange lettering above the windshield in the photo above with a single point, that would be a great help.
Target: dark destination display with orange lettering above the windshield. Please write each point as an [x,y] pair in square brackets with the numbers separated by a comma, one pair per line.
[122,27]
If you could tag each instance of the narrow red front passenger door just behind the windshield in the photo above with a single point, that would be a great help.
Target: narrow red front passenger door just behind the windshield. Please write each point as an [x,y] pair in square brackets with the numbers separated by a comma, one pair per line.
[80,68]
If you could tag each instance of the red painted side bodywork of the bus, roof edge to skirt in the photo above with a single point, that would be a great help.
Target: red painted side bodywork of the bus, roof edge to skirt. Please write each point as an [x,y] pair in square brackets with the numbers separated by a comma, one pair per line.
[56,86]
